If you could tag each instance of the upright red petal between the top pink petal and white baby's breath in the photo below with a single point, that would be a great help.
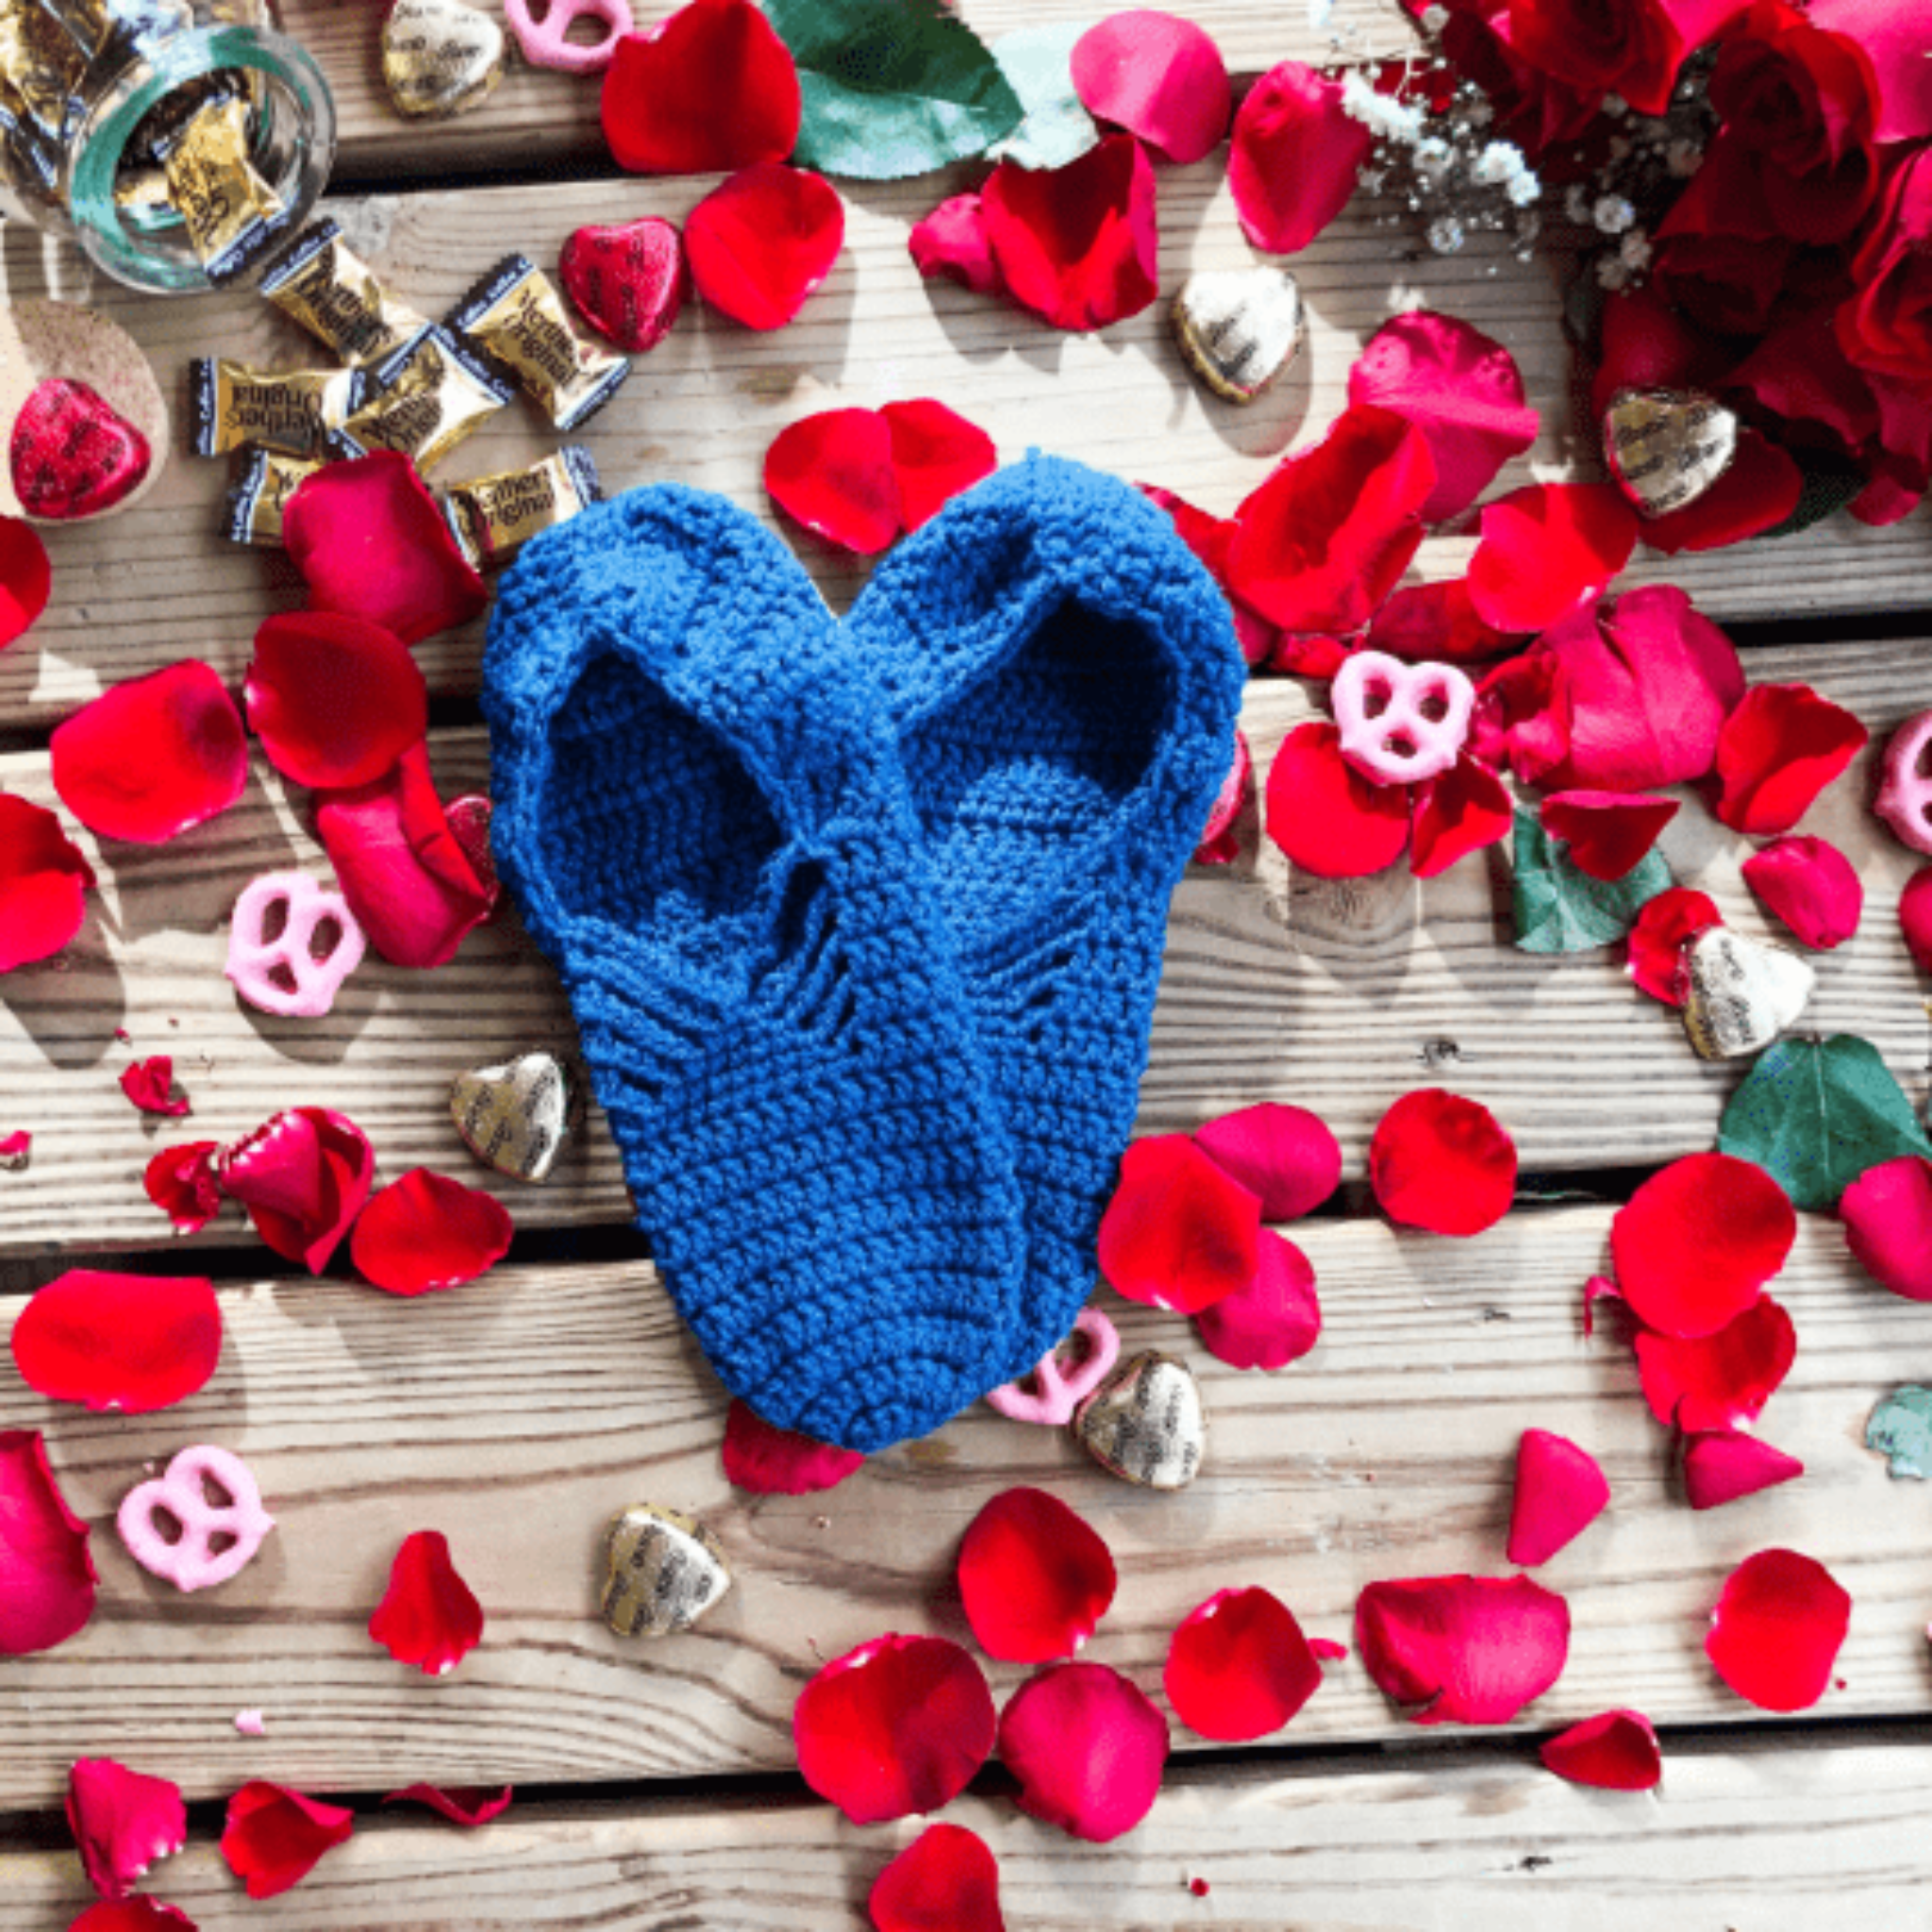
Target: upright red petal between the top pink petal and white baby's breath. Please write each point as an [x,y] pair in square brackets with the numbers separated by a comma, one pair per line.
[1295,157]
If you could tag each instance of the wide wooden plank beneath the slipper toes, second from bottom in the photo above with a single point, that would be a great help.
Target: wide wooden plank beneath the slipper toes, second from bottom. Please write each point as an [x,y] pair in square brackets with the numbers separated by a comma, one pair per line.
[519,1413]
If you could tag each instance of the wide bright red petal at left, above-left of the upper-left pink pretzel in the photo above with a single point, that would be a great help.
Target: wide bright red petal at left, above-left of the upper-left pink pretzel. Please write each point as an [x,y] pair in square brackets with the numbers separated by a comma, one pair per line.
[154,756]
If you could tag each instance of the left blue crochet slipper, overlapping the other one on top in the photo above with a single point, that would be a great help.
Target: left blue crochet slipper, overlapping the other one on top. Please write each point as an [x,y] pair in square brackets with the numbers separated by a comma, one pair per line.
[698,810]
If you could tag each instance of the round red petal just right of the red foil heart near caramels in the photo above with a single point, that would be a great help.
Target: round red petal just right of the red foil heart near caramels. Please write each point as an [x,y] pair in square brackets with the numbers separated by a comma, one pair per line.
[762,242]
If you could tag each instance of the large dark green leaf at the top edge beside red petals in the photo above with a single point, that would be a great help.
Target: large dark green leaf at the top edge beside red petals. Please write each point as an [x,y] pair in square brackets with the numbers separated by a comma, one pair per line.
[892,88]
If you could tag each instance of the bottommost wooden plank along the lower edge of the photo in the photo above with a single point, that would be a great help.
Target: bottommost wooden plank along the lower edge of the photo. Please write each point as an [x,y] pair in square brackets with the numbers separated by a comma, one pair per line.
[1751,1840]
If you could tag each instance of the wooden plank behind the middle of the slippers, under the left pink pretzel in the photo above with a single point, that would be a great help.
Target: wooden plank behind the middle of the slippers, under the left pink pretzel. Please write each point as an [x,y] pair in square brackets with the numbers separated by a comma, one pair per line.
[1332,996]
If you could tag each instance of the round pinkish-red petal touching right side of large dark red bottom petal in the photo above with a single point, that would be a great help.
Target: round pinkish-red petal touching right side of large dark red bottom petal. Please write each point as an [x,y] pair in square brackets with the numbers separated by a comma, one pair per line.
[1087,1747]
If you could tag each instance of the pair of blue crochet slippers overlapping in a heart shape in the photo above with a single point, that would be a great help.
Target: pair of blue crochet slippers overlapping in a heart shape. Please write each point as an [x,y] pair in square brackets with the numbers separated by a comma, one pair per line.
[863,921]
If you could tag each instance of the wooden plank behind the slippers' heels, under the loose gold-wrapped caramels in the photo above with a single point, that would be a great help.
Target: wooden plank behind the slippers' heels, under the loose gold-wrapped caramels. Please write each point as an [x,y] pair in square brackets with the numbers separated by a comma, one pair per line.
[159,584]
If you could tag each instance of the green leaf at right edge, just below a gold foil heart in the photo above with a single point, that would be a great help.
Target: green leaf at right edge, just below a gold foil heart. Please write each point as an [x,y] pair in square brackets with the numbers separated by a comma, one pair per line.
[1815,1114]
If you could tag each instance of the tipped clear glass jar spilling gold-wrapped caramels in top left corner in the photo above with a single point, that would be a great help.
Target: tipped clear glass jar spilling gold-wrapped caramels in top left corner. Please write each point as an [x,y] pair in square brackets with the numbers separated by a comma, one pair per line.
[94,90]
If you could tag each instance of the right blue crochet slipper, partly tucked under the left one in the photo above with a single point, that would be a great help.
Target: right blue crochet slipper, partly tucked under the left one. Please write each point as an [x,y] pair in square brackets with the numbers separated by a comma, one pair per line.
[1064,679]
